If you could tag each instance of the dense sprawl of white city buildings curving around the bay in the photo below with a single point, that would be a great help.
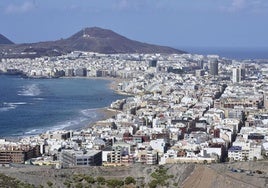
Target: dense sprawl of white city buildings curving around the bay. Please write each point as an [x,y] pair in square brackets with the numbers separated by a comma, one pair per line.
[178,109]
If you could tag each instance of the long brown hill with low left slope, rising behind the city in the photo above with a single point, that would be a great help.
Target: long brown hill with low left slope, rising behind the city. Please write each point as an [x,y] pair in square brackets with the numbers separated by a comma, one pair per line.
[93,39]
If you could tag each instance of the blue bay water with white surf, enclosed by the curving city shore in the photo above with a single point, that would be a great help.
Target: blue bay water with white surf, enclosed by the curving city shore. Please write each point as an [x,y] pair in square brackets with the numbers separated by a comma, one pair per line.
[33,106]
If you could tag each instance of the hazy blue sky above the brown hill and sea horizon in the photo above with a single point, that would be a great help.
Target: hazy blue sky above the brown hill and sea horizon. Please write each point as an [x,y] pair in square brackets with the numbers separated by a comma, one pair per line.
[177,23]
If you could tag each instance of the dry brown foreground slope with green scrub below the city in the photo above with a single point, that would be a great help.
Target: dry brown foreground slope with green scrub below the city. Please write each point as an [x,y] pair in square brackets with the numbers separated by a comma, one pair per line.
[244,174]
